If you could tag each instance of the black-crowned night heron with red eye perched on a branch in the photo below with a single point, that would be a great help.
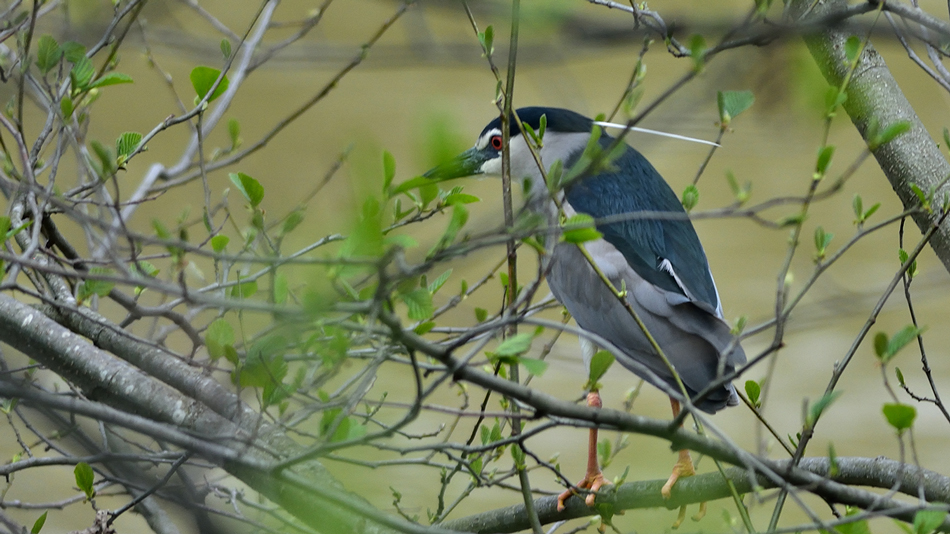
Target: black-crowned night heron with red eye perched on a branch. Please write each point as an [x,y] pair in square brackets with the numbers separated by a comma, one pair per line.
[656,265]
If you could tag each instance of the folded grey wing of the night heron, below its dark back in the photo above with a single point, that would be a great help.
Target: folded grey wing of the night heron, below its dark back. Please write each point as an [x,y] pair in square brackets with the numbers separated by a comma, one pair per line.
[693,339]
